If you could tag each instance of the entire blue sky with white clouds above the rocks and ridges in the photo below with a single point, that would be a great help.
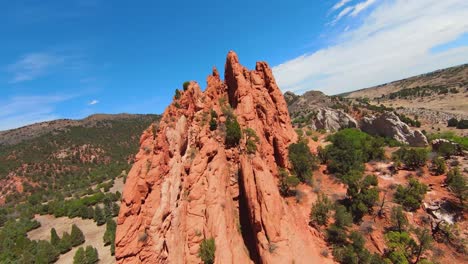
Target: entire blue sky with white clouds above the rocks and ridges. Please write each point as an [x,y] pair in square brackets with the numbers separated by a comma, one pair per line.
[69,59]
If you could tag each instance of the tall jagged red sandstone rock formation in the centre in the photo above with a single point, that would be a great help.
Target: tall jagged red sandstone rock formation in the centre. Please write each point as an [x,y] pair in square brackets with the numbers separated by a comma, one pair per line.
[187,185]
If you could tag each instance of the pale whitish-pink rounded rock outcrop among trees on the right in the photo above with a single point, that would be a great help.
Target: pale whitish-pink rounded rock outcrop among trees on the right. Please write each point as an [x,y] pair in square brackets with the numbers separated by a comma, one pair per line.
[389,125]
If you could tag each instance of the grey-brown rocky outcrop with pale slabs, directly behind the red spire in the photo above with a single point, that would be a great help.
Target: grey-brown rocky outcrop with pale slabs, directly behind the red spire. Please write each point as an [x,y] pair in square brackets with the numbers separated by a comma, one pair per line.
[315,108]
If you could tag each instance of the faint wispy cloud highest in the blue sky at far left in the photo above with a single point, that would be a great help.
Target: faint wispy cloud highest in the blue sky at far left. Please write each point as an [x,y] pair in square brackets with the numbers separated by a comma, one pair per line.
[33,65]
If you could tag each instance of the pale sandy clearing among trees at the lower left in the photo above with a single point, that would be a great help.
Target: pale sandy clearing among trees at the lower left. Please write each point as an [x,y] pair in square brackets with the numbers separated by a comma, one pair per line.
[92,232]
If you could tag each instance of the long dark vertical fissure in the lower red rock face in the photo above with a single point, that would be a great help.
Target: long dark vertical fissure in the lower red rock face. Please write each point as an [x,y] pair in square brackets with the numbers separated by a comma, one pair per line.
[247,230]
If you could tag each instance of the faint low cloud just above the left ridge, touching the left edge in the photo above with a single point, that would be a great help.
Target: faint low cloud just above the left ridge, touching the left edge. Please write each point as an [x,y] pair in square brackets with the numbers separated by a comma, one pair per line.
[18,111]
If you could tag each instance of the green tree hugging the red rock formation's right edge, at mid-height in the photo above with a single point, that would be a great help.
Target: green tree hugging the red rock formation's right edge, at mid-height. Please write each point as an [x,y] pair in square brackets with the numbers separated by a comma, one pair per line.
[302,160]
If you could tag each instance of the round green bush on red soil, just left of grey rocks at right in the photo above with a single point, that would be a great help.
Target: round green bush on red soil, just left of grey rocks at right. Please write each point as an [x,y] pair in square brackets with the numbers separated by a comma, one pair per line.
[412,195]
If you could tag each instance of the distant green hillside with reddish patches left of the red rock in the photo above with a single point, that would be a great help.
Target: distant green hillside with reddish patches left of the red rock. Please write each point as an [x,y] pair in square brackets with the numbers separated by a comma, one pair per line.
[70,154]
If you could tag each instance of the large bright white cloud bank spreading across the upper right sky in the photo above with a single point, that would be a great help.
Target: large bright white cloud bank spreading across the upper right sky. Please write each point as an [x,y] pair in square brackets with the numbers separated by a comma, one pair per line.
[394,41]
